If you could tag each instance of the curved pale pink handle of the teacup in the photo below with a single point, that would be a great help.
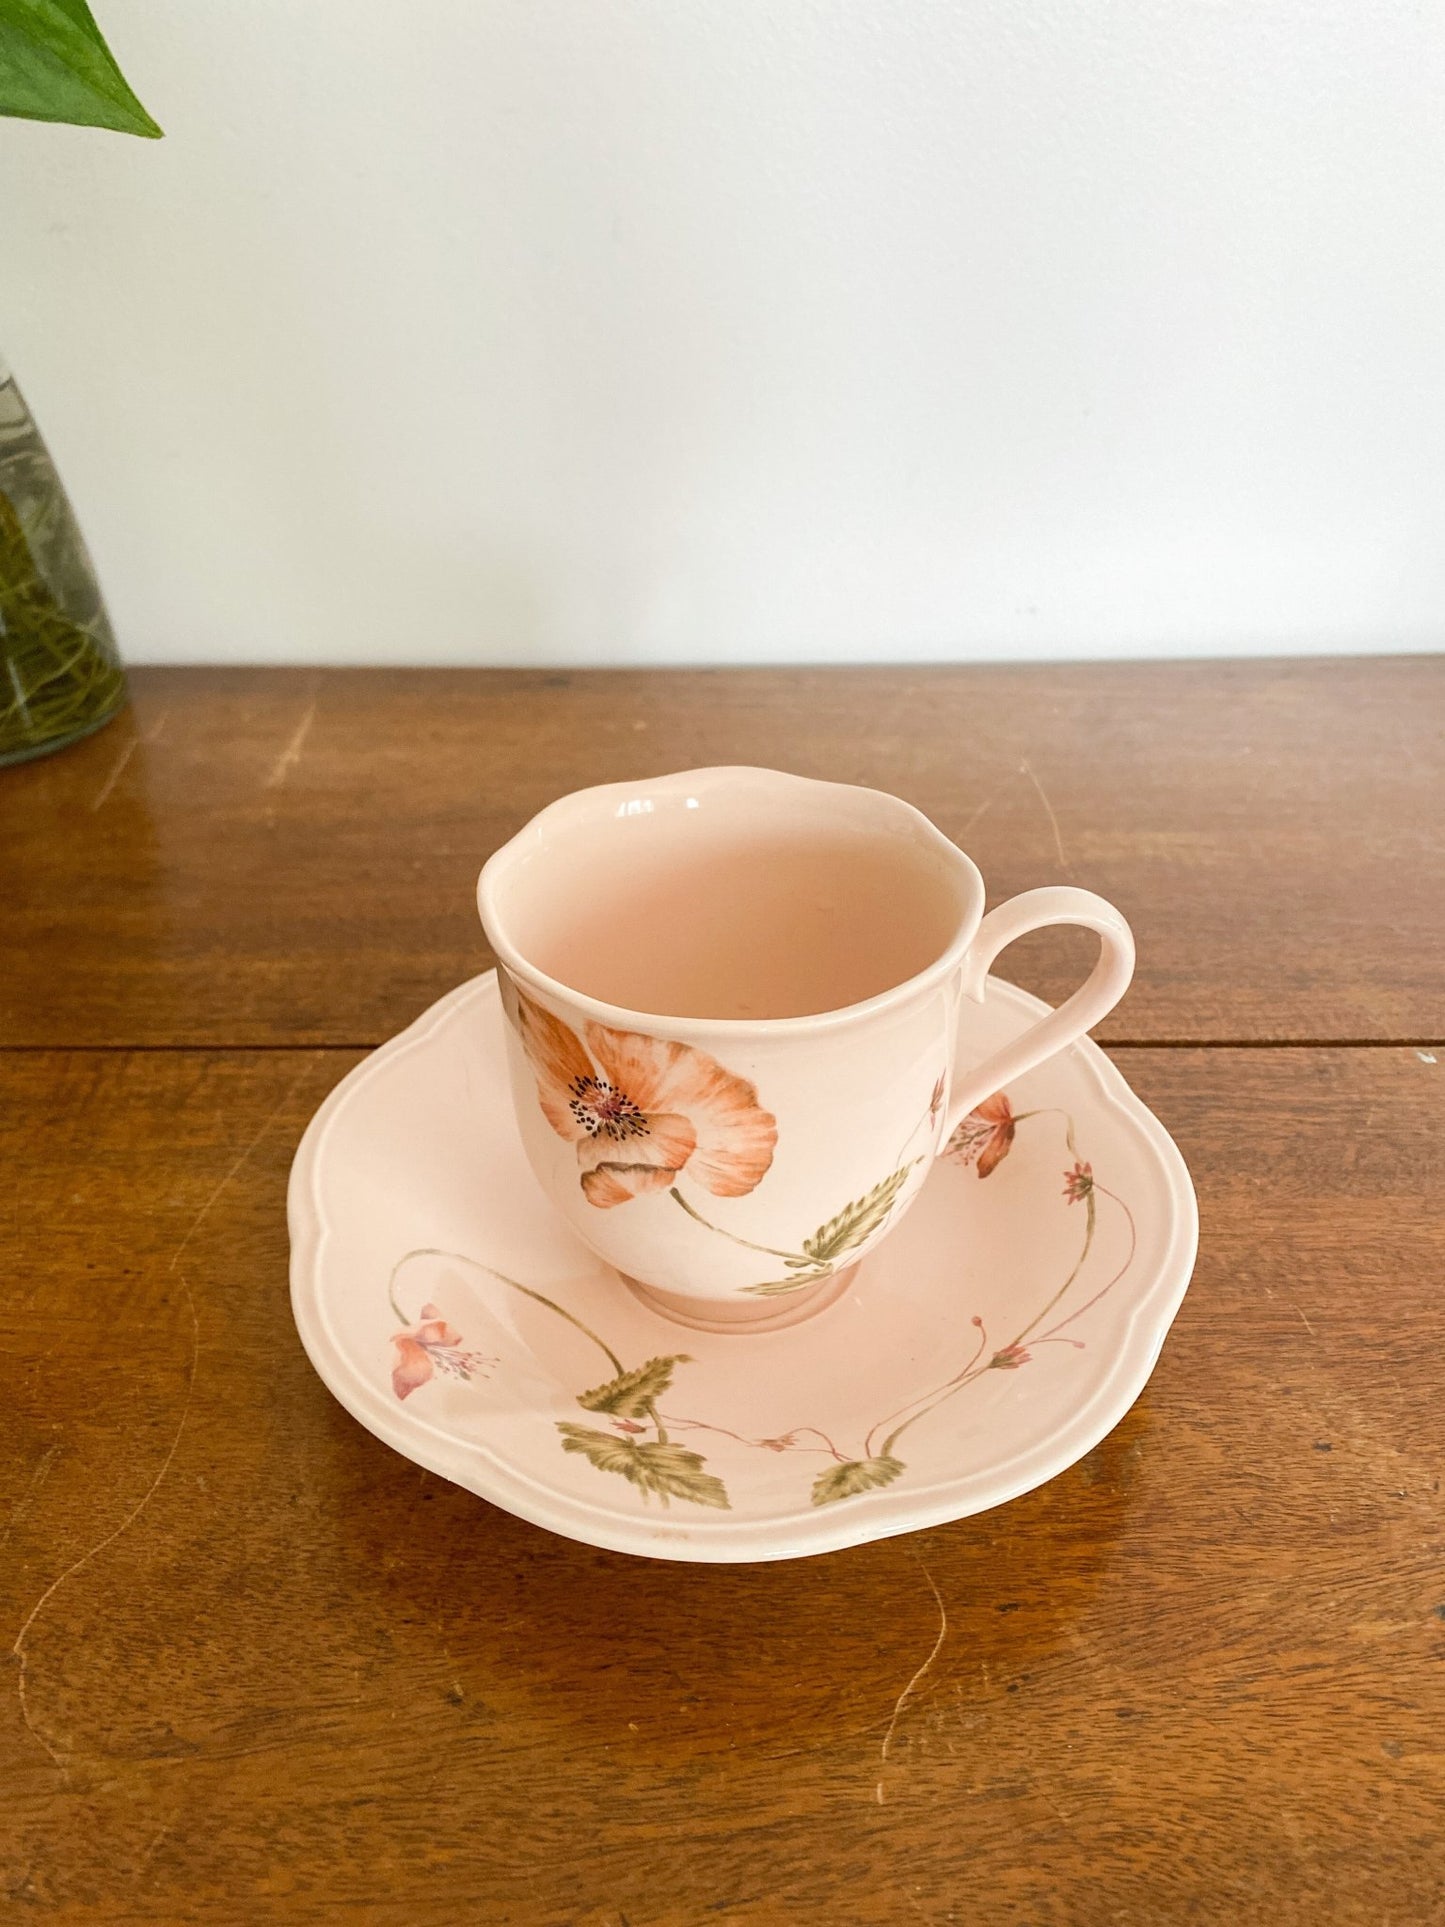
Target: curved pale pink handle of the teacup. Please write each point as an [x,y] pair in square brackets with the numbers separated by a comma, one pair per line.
[1095,999]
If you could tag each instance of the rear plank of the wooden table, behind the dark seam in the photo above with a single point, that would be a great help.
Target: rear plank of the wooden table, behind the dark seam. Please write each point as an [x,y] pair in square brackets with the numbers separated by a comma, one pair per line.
[290,857]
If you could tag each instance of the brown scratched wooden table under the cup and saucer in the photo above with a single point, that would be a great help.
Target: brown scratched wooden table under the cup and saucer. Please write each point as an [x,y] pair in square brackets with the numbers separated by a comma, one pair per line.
[263,1670]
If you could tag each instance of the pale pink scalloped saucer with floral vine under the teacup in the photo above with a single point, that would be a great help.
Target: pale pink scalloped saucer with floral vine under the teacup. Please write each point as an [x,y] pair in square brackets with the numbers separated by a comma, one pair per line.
[1003,1329]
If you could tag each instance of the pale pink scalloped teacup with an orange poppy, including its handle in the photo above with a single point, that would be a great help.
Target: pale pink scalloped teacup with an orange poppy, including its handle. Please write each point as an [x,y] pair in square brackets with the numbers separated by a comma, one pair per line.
[735,1042]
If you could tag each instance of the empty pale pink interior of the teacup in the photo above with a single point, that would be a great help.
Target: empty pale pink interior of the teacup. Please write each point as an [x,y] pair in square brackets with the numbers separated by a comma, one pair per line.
[737,901]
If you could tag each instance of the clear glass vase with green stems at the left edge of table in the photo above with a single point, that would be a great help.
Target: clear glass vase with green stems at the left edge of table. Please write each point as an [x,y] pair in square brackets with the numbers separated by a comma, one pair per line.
[61,673]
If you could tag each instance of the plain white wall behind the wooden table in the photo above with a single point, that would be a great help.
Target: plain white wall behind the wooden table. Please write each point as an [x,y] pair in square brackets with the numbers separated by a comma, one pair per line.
[733,330]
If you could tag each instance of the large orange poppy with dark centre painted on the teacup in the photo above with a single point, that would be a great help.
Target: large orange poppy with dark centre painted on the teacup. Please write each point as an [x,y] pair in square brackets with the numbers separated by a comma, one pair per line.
[641,1111]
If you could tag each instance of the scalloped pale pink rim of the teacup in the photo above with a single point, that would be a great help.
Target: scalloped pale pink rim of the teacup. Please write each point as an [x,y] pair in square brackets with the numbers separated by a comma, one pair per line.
[621,1016]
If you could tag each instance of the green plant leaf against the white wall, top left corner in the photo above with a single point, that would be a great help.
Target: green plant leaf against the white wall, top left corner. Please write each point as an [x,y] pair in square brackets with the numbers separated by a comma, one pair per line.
[55,66]
